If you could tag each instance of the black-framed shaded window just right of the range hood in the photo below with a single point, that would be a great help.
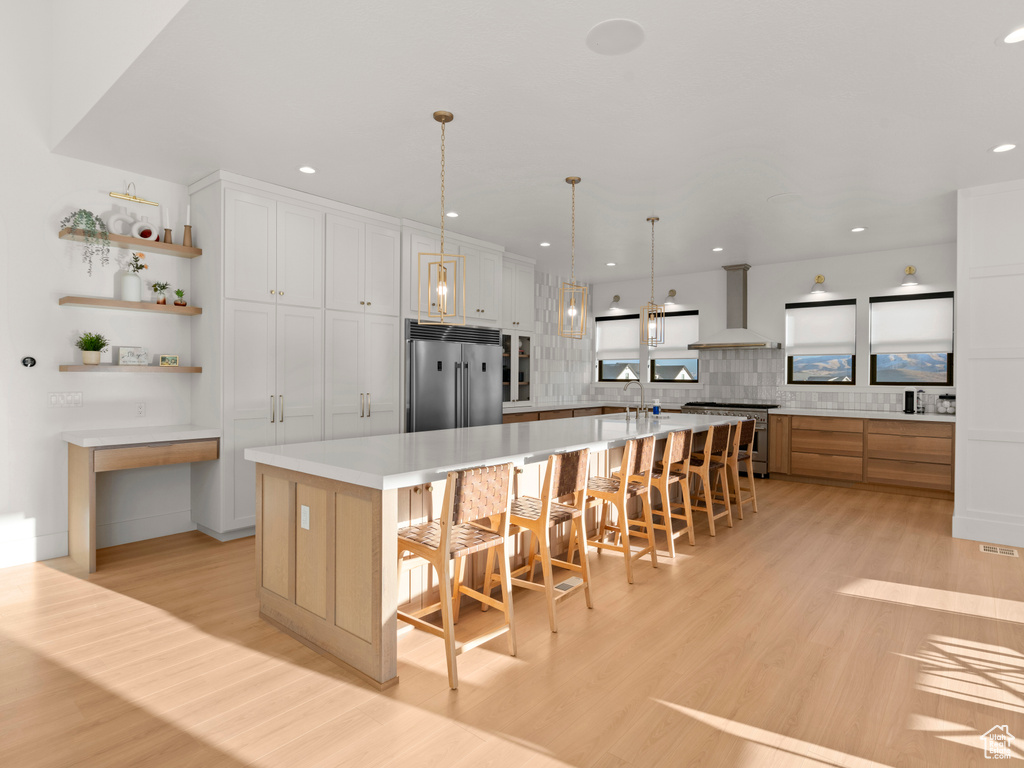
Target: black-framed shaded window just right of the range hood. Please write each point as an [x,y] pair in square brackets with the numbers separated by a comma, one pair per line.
[822,343]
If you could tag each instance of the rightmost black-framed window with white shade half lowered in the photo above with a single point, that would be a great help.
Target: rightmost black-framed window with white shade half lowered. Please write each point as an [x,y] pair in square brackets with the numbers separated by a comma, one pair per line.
[913,339]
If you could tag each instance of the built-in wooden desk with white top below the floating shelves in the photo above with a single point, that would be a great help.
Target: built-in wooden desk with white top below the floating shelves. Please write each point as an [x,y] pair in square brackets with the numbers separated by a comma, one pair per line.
[106,450]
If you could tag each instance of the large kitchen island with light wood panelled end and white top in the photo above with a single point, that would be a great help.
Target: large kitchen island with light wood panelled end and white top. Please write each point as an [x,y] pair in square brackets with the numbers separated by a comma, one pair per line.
[328,515]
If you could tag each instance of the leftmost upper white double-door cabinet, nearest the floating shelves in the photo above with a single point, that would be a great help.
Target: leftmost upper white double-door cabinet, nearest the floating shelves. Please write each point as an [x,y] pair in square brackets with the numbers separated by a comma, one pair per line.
[274,250]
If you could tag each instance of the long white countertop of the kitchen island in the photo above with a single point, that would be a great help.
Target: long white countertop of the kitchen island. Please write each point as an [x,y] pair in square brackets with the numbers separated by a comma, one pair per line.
[398,461]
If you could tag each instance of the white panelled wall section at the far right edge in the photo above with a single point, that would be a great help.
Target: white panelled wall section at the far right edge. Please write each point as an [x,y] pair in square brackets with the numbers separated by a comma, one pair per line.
[991,364]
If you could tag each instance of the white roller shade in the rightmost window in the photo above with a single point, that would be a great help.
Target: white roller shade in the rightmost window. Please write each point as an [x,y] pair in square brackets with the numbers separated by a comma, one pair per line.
[923,324]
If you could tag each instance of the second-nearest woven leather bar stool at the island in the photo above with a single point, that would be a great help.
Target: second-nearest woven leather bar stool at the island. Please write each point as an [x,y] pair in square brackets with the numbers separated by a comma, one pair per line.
[565,477]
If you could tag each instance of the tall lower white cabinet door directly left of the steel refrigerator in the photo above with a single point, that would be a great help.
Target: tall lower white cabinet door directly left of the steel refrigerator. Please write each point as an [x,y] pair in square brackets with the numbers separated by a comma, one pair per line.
[381,375]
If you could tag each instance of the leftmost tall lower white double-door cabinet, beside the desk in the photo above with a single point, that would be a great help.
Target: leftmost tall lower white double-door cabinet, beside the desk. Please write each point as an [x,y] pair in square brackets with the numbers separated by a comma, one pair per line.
[273,390]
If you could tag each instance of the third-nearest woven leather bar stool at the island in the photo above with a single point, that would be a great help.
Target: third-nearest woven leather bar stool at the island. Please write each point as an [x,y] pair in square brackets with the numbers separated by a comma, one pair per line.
[632,481]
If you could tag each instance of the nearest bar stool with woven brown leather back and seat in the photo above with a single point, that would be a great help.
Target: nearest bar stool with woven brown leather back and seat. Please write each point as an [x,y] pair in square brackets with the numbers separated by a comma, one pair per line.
[471,497]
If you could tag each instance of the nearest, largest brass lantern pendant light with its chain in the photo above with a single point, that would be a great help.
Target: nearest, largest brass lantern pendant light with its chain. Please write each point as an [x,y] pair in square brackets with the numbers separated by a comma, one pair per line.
[445,293]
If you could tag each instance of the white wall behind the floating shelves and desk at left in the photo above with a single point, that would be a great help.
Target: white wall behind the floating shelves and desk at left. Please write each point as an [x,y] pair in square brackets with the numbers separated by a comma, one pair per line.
[36,192]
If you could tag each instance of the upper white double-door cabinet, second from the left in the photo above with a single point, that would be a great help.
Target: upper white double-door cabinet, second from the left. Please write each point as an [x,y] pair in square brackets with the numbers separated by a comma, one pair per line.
[362,266]
